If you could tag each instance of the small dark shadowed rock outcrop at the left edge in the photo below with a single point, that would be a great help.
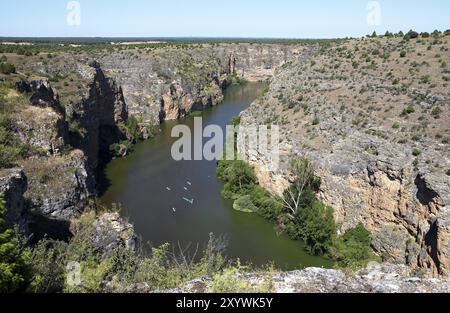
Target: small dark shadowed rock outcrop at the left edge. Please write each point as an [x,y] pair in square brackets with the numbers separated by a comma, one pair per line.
[13,185]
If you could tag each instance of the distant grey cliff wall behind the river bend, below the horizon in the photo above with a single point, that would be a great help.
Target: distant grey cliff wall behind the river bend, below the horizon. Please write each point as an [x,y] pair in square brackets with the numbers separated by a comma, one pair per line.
[170,83]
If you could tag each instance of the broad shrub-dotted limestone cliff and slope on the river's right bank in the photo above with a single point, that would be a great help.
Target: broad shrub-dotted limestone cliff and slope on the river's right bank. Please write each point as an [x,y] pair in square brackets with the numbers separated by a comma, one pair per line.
[379,149]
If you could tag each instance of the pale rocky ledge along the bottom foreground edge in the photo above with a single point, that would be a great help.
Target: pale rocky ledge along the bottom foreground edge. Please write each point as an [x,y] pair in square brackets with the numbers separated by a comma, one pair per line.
[386,278]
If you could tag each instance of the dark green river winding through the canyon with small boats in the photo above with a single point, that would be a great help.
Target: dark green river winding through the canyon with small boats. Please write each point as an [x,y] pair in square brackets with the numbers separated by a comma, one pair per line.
[139,182]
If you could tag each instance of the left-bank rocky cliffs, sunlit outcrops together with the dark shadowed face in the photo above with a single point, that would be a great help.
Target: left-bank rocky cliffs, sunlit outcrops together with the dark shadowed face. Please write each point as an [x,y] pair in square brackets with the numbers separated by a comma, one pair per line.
[61,183]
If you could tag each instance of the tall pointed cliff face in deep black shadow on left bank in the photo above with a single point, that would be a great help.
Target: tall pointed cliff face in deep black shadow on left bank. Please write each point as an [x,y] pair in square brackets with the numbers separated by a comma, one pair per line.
[99,117]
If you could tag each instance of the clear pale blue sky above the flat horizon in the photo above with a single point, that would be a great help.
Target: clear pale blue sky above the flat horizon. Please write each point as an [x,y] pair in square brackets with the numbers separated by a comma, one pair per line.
[215,18]
